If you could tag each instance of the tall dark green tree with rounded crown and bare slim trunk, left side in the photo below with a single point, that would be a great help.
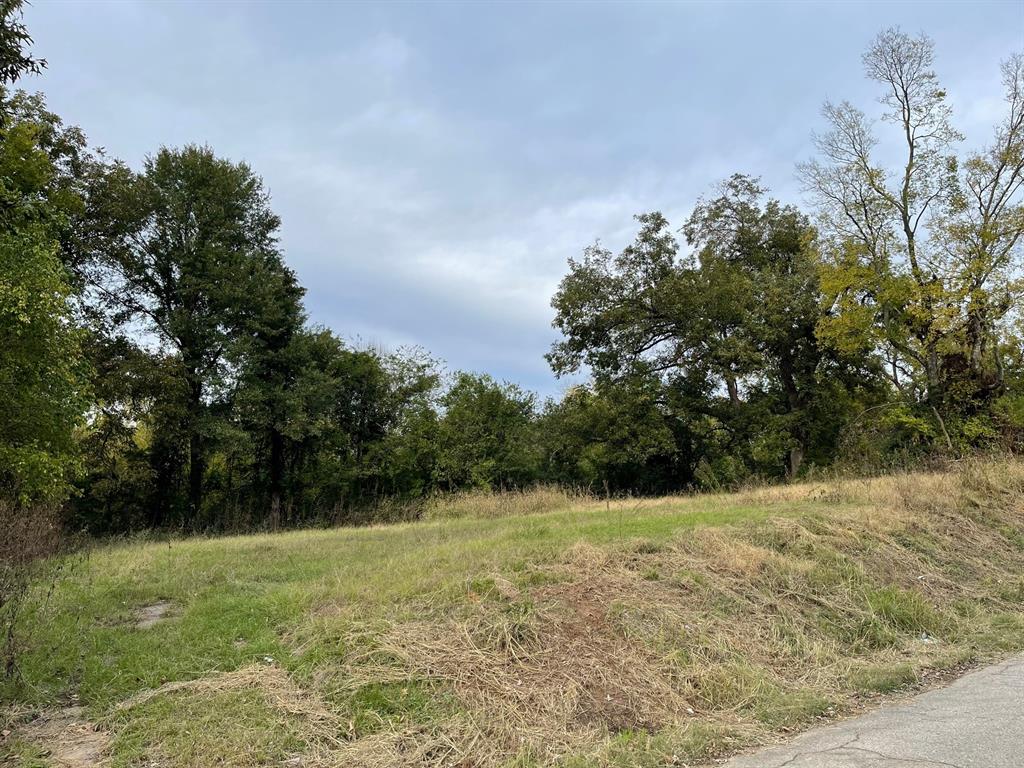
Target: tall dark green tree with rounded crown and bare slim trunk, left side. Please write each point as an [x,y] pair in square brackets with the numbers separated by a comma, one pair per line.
[189,244]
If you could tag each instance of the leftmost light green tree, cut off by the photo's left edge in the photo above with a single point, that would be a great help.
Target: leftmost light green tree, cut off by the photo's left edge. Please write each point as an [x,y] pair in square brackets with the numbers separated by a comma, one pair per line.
[42,374]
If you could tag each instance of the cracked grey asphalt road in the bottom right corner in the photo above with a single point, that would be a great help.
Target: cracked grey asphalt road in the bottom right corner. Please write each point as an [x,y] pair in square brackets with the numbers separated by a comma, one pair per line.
[976,722]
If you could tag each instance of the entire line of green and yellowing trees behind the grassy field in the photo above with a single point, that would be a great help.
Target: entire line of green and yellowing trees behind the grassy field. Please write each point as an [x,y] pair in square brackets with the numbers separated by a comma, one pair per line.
[160,370]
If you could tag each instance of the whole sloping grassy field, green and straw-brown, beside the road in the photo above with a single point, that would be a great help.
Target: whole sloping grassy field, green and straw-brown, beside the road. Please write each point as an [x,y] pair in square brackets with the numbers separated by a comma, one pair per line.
[529,630]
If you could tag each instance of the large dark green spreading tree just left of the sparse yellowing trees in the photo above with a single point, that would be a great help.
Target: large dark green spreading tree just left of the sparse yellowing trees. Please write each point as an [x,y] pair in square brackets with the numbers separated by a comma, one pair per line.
[729,330]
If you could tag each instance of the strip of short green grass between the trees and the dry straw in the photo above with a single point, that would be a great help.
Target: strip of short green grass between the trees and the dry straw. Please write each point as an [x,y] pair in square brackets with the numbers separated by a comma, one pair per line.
[235,599]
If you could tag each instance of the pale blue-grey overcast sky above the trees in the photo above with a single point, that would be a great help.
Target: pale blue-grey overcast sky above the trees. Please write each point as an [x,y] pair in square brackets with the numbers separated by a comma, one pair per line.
[436,165]
